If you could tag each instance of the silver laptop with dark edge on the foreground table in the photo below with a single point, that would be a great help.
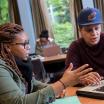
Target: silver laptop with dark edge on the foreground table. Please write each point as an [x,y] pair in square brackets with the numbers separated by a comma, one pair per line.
[92,91]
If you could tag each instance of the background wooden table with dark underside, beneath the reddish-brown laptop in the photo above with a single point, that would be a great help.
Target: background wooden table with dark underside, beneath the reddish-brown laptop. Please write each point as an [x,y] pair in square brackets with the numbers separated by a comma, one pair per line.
[54,64]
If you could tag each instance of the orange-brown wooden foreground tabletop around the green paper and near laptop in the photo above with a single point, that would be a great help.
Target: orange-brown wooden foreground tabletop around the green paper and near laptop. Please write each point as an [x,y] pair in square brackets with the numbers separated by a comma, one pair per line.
[71,91]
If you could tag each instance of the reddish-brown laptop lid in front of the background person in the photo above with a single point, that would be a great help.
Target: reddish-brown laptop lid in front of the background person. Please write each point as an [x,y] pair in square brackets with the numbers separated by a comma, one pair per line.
[51,51]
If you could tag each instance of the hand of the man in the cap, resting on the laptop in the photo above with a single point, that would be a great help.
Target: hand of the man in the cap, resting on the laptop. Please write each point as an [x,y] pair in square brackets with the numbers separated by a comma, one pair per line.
[90,78]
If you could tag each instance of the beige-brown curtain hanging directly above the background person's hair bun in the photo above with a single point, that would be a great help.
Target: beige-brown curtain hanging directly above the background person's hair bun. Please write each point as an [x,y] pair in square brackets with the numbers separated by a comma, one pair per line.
[41,17]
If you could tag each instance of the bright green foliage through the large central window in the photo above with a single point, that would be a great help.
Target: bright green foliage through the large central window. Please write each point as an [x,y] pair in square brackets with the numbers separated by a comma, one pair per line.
[61,23]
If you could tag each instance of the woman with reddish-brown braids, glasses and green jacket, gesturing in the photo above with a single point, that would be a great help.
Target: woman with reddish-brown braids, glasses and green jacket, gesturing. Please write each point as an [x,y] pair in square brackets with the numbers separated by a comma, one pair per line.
[15,88]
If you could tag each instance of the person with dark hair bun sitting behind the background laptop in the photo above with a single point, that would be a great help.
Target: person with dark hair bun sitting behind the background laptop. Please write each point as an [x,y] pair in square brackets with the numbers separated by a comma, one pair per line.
[44,41]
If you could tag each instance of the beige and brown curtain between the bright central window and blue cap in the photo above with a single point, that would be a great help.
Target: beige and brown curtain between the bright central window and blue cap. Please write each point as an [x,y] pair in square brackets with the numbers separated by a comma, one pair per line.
[75,7]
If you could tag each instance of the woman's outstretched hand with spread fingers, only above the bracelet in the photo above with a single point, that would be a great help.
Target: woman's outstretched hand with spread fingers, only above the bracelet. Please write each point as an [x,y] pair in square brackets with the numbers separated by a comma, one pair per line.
[71,77]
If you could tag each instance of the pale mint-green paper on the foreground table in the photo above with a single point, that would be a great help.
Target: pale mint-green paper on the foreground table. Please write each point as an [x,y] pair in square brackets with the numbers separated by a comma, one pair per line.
[67,100]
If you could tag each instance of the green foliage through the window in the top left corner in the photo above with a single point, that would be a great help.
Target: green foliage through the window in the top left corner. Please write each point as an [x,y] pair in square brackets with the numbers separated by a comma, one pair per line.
[4,11]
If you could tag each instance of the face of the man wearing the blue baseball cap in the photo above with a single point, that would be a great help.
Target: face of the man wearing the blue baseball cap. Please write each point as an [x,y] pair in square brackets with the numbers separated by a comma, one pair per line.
[91,34]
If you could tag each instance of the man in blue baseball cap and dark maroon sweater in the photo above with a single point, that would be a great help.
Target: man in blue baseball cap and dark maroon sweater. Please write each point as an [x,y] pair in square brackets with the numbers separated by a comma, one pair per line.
[89,48]
